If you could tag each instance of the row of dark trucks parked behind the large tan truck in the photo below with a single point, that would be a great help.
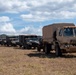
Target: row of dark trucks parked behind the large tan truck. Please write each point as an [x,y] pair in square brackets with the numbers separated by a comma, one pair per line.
[24,41]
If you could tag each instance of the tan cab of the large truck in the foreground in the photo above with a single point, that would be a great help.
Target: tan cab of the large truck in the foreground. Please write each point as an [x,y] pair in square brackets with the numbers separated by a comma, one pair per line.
[67,37]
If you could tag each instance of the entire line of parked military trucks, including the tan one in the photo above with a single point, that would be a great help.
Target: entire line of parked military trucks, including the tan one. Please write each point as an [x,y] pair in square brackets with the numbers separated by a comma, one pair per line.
[60,37]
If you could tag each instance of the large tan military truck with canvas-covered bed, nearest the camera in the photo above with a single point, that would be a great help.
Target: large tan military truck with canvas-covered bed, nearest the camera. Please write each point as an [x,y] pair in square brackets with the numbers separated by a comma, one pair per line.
[60,37]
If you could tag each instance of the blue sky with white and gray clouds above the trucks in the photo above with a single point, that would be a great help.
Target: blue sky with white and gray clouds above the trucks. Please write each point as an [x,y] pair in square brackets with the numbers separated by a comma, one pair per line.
[29,16]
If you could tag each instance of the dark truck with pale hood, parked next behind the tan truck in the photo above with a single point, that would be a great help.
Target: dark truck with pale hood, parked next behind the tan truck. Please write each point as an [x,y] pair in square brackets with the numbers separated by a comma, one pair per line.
[28,41]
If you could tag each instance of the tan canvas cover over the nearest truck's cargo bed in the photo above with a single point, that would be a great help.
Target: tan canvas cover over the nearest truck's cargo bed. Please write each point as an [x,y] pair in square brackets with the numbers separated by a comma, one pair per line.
[48,30]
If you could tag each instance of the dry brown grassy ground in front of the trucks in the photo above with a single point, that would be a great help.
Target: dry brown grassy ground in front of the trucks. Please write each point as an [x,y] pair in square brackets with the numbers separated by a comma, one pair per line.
[15,61]
